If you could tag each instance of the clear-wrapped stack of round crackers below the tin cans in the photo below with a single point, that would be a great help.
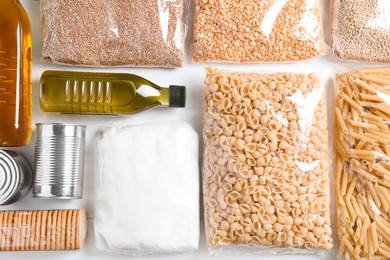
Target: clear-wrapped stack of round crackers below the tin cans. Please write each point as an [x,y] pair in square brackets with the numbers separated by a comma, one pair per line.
[42,229]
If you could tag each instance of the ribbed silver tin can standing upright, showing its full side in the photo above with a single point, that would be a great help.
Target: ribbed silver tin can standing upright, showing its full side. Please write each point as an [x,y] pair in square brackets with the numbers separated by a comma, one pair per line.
[59,161]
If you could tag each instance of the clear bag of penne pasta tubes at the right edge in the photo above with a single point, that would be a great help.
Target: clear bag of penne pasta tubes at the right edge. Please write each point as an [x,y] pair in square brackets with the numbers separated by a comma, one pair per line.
[362,163]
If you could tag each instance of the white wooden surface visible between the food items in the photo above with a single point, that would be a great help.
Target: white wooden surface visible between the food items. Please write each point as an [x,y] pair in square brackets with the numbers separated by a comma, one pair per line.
[192,76]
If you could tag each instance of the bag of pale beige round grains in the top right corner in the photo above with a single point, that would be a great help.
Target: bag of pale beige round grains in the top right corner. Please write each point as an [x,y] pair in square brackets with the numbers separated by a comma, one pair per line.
[360,29]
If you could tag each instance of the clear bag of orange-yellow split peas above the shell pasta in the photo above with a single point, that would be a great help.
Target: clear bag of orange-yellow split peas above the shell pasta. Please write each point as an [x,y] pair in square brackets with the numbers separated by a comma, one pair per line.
[257,30]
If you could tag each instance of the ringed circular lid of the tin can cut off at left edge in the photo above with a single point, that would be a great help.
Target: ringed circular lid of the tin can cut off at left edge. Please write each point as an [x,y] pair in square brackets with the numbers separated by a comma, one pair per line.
[9,177]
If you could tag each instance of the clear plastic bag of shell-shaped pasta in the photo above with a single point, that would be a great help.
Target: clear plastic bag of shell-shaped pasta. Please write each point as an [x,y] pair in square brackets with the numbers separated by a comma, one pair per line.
[265,175]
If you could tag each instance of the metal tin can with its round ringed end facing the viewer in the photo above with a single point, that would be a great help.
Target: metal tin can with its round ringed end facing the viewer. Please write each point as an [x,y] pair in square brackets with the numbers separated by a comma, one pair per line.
[15,177]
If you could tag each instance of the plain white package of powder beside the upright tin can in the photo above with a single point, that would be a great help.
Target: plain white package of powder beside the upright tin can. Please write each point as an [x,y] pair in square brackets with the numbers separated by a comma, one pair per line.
[147,189]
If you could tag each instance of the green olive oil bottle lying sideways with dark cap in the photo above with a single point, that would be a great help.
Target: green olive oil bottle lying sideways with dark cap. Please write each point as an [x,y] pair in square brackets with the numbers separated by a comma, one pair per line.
[104,93]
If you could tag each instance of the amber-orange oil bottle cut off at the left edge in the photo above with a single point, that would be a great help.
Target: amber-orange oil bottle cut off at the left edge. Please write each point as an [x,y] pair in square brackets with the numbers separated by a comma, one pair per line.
[15,75]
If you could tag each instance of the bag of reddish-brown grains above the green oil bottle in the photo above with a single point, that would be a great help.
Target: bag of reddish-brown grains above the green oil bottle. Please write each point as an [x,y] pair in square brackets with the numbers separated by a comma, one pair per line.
[114,32]
